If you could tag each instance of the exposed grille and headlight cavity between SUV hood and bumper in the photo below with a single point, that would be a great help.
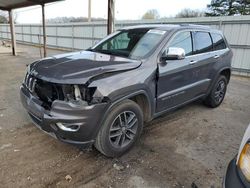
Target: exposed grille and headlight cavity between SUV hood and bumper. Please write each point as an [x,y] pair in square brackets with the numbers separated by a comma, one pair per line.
[49,92]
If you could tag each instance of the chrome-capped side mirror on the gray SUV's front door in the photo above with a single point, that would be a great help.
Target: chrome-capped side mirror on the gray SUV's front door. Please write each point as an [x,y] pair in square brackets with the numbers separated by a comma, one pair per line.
[173,53]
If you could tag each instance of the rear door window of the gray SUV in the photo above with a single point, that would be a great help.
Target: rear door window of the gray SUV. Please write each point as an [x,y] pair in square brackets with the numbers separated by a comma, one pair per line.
[202,42]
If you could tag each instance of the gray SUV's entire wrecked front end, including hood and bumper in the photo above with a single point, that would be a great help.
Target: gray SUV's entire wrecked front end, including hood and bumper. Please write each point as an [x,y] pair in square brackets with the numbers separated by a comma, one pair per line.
[59,98]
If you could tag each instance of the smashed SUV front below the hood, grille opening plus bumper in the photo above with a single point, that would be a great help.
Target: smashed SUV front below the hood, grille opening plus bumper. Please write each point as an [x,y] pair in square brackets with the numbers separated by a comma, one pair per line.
[70,112]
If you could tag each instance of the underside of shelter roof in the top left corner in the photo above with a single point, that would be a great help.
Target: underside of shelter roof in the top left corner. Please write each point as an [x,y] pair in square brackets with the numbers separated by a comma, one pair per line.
[13,4]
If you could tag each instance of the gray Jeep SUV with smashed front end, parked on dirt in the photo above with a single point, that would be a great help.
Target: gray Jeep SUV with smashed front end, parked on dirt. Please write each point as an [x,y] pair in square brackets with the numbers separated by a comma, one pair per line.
[103,95]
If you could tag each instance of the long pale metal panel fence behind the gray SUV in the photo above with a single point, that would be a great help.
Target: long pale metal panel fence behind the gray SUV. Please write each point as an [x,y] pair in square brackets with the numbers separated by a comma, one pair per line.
[79,36]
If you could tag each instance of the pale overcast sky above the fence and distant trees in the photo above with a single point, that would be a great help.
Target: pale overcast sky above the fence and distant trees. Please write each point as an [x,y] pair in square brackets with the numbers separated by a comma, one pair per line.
[124,9]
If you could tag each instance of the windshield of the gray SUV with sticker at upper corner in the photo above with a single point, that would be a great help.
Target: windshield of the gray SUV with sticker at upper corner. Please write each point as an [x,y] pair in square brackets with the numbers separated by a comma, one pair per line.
[135,44]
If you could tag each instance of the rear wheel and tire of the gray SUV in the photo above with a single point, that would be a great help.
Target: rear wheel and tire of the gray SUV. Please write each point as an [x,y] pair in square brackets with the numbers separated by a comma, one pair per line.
[218,92]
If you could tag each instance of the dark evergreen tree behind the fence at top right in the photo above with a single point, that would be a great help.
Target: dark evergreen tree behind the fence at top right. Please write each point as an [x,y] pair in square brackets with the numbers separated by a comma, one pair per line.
[228,7]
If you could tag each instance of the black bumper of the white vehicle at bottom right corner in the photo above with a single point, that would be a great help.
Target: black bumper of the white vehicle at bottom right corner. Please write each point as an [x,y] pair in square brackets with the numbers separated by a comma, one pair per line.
[233,179]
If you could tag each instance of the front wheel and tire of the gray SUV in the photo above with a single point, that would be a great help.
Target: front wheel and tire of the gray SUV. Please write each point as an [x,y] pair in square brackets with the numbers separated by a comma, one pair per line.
[121,115]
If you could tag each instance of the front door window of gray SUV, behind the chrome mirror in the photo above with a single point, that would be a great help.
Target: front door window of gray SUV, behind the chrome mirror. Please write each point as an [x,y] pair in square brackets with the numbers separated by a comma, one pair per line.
[182,40]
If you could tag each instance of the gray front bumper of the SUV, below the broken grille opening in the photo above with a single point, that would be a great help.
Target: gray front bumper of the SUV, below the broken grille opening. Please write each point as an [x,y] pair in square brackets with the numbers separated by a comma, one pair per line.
[88,117]
